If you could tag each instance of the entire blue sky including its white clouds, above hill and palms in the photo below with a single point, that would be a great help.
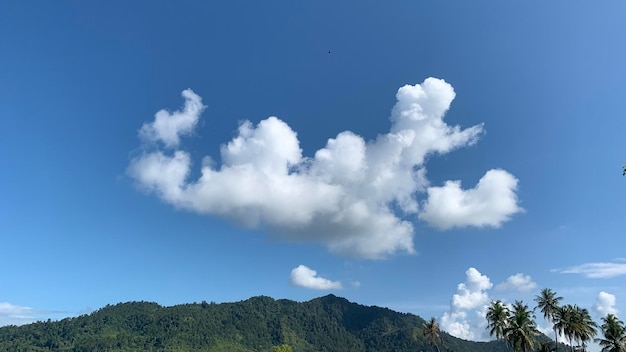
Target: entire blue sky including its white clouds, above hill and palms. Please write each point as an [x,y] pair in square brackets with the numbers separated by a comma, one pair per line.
[247,183]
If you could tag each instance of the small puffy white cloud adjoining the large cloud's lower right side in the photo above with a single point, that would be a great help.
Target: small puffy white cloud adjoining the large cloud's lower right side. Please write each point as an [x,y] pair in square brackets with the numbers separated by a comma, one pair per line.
[490,203]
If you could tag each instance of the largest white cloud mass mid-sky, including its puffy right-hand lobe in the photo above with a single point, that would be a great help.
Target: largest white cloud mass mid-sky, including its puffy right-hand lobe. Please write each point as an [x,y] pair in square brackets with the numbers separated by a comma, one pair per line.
[356,197]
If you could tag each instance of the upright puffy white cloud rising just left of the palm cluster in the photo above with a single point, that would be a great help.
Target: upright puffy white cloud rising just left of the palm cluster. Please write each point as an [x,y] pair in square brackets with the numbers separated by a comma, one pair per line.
[470,297]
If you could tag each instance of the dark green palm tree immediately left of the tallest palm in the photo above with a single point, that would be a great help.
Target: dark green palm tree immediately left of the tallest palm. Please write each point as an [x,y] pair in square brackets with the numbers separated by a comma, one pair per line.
[522,328]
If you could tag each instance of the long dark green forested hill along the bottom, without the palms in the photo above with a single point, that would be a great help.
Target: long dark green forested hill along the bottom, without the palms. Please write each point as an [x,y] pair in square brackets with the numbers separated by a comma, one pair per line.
[327,323]
